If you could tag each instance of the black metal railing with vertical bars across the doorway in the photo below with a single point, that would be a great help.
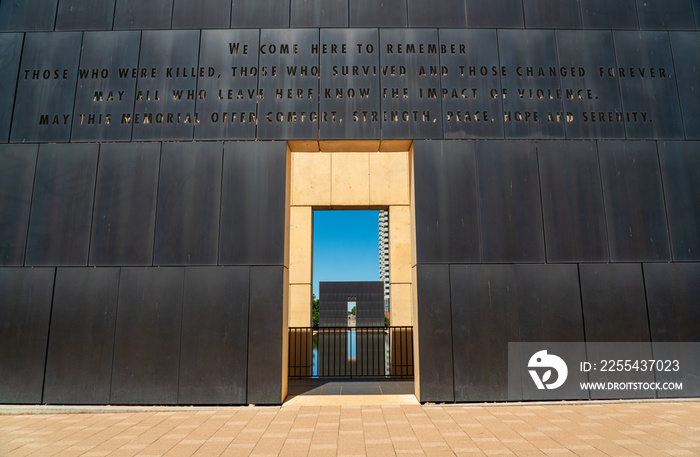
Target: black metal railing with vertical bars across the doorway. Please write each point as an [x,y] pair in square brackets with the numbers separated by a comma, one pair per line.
[350,352]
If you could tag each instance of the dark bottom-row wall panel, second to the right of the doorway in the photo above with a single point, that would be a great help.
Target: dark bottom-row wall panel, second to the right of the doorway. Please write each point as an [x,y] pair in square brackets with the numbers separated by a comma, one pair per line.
[484,320]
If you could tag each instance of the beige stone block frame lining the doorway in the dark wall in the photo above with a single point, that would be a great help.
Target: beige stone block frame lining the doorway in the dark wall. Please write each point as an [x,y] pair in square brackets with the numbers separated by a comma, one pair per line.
[351,175]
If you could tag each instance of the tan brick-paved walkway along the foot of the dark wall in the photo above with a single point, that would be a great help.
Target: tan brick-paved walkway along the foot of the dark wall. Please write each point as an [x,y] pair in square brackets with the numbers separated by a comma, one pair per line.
[584,429]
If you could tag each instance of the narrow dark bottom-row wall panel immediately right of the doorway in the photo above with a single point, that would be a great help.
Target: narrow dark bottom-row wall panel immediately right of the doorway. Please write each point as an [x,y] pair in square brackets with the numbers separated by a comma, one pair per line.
[434,333]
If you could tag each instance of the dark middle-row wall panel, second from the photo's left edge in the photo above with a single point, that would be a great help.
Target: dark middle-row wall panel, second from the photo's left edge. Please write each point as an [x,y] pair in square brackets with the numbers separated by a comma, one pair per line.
[59,226]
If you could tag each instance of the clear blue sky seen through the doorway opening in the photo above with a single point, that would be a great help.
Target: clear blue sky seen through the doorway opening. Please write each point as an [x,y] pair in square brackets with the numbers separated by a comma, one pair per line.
[346,246]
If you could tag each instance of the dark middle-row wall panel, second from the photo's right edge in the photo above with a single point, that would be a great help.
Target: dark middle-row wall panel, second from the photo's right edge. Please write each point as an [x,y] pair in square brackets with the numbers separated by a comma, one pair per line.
[630,172]
